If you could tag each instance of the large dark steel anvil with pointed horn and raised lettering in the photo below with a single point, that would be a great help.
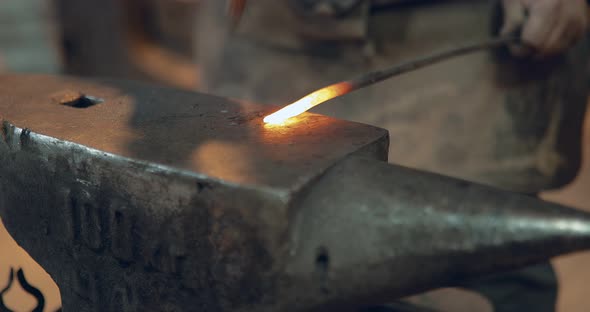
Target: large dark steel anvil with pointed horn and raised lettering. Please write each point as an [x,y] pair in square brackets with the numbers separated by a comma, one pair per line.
[136,197]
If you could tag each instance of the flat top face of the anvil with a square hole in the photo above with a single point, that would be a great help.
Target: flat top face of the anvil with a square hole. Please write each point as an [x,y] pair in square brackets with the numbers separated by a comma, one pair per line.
[218,138]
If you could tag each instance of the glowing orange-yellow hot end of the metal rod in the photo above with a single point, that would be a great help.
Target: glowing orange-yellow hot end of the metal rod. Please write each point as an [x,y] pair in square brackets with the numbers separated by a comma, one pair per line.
[306,103]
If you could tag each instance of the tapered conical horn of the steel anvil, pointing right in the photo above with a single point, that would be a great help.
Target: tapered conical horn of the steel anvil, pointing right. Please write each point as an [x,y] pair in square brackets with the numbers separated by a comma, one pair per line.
[379,231]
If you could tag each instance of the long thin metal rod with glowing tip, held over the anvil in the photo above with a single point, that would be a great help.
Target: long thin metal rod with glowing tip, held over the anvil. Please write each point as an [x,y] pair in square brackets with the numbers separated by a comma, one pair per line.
[341,88]
